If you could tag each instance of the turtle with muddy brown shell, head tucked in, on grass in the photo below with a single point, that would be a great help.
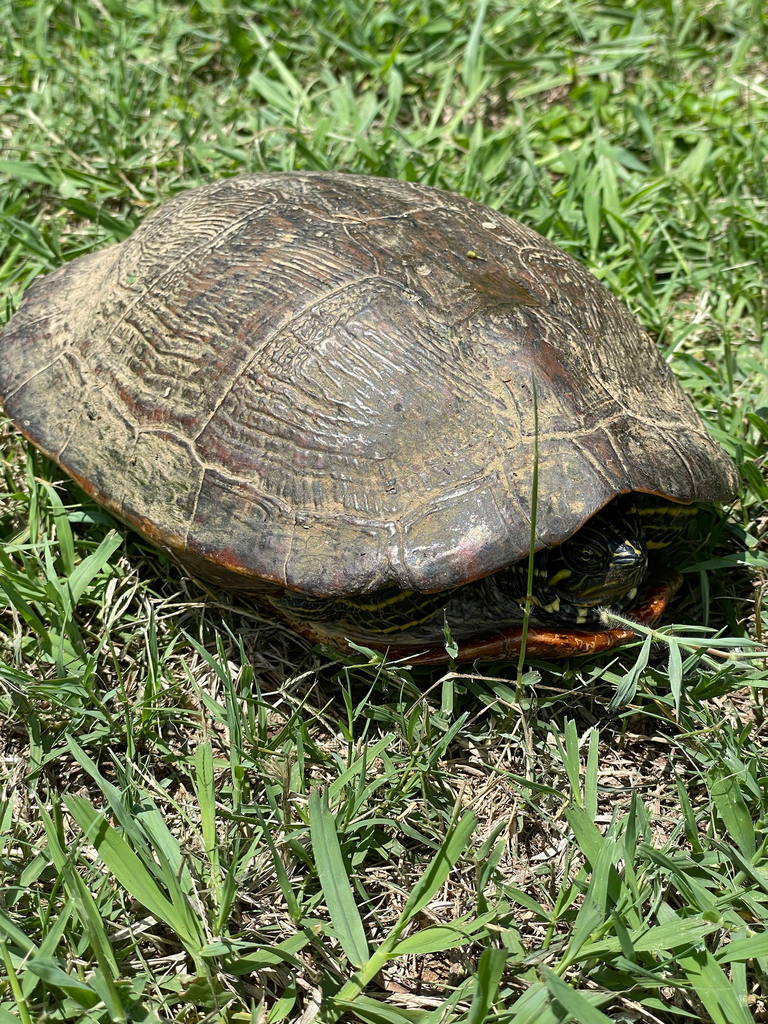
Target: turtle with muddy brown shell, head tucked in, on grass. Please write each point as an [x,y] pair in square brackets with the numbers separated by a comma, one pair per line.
[363,402]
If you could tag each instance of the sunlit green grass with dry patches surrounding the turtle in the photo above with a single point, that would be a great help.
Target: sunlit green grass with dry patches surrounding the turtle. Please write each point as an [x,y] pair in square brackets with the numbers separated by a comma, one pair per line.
[204,821]
